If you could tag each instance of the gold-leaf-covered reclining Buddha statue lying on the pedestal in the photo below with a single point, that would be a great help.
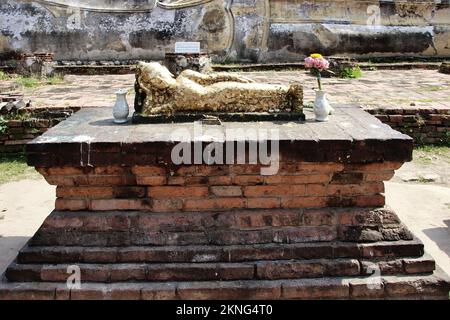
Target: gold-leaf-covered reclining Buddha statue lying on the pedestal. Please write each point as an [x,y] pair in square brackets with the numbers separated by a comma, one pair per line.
[159,92]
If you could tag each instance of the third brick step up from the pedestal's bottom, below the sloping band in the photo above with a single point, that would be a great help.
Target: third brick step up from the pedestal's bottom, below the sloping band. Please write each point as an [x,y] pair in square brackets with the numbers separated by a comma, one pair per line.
[235,253]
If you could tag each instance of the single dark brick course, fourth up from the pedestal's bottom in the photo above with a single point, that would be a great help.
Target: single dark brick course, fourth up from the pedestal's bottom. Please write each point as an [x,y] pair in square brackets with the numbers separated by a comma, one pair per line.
[219,237]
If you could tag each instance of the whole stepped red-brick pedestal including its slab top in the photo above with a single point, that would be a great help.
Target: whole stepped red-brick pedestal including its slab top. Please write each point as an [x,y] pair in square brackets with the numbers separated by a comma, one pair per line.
[140,227]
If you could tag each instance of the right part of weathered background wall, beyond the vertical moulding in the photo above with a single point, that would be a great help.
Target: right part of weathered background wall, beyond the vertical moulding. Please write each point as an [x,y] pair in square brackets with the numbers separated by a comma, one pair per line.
[360,28]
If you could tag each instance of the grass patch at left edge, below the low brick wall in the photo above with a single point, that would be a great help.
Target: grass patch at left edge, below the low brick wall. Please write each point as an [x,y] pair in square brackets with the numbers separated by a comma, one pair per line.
[13,167]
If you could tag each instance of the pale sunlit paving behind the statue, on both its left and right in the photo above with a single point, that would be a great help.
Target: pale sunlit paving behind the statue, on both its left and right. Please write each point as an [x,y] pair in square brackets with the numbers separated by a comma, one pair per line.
[415,88]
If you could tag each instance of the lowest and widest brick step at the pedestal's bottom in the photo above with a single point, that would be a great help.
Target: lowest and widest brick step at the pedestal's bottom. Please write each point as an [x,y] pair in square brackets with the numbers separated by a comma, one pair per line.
[435,286]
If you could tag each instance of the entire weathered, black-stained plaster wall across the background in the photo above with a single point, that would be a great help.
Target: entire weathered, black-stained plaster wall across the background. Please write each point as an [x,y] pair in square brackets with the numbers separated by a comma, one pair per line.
[232,30]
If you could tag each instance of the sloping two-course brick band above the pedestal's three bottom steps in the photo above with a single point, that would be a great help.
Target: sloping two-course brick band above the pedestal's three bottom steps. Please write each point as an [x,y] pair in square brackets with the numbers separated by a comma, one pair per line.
[122,228]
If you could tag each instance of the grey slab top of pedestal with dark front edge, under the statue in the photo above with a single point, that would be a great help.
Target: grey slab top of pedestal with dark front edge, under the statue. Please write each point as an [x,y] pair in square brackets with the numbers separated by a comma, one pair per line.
[90,138]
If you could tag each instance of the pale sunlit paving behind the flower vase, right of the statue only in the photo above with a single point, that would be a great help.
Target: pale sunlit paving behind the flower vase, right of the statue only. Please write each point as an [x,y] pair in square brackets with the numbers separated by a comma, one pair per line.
[376,89]
